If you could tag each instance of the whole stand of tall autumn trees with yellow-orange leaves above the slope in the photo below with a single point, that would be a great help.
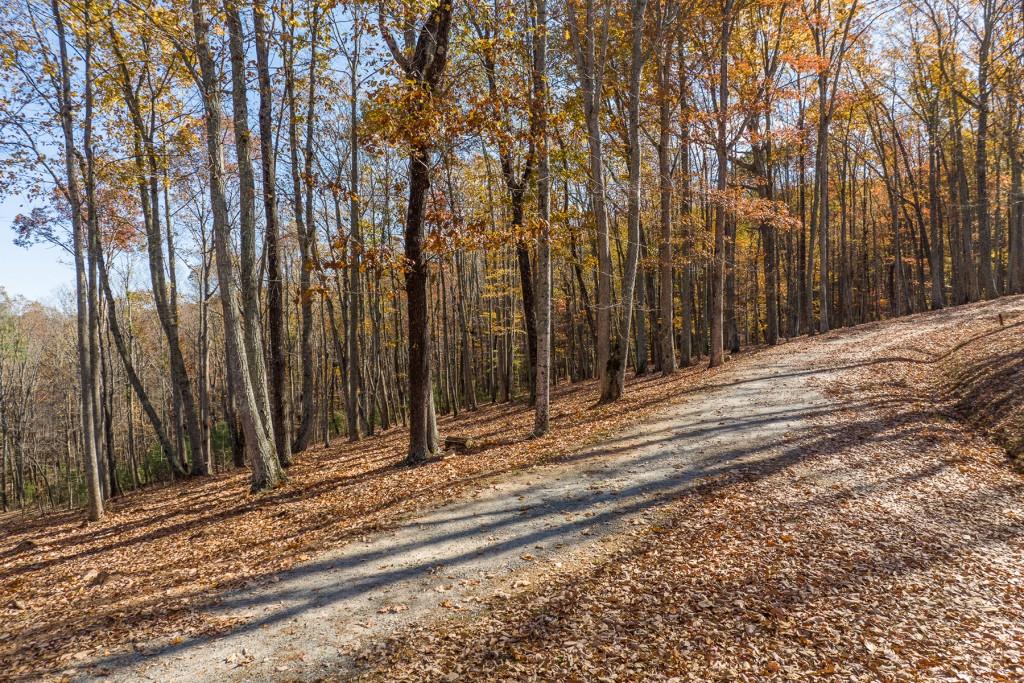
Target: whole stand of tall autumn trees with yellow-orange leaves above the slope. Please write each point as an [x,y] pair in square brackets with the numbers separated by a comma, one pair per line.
[297,223]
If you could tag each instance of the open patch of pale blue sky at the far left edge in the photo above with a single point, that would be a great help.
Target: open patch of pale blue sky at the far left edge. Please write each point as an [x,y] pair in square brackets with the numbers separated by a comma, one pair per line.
[39,273]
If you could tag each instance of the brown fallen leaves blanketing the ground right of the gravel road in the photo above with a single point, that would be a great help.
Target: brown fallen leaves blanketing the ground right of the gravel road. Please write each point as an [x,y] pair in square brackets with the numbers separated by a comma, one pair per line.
[888,547]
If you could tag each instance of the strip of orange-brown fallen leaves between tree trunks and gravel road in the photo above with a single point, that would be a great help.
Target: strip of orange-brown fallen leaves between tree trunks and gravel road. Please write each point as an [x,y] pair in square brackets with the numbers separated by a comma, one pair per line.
[70,592]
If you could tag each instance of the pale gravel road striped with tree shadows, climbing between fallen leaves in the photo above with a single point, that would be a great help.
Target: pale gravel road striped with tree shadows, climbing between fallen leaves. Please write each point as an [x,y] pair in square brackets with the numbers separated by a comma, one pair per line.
[758,416]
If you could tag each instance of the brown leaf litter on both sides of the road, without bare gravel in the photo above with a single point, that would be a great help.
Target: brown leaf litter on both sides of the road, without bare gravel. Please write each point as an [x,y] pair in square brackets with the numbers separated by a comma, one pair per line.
[885,546]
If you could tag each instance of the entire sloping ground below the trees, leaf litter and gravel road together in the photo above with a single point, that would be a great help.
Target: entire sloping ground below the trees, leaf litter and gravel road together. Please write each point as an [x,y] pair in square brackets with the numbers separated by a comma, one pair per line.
[807,511]
